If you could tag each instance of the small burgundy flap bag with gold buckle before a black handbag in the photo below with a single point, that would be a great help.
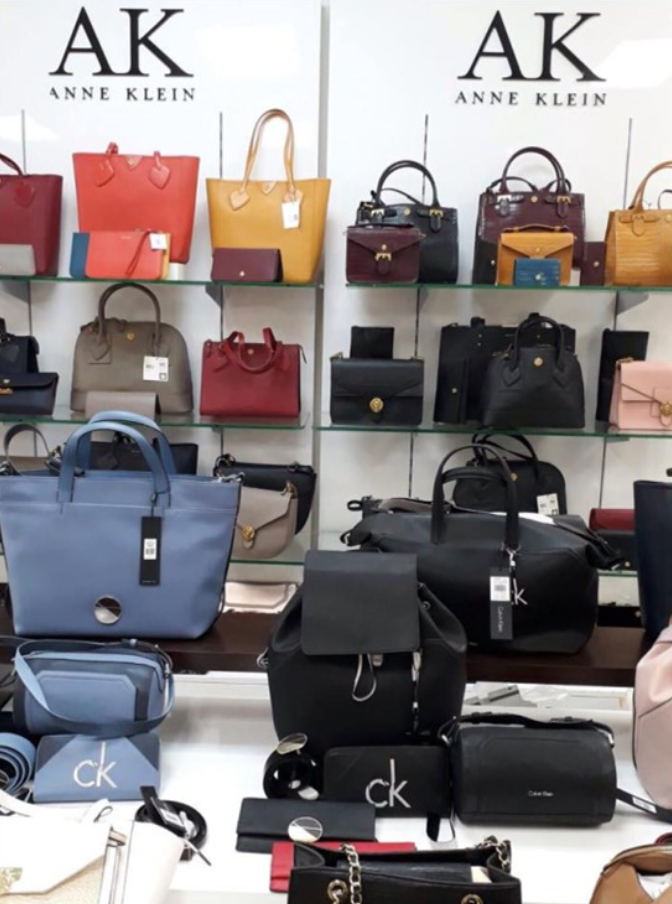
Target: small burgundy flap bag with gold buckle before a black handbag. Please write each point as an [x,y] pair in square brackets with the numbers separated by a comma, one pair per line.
[382,254]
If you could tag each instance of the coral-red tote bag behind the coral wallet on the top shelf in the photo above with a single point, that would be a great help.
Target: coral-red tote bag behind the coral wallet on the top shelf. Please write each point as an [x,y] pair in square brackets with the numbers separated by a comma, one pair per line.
[121,193]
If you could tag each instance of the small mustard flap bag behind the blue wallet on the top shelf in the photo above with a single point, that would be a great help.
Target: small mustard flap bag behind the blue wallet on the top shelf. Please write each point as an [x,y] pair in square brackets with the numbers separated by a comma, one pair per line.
[534,241]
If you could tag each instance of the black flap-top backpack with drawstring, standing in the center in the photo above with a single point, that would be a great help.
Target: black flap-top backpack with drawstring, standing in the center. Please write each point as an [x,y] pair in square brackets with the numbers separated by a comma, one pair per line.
[363,655]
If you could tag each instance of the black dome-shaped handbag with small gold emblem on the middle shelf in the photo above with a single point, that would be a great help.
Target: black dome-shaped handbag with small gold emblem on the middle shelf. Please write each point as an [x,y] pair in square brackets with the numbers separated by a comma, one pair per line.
[534,387]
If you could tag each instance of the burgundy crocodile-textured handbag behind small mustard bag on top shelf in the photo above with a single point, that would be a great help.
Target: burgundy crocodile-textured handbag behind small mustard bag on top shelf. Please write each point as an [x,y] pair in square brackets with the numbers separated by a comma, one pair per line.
[503,207]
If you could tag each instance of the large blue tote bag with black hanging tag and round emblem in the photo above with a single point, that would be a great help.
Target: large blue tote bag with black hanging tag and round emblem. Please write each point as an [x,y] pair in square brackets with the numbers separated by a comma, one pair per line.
[116,554]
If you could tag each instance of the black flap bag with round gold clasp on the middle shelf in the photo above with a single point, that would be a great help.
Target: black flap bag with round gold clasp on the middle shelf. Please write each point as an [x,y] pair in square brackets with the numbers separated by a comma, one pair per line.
[377,391]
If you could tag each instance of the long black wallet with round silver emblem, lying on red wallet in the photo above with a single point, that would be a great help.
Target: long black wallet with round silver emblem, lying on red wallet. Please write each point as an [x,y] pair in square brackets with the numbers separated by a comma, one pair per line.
[263,822]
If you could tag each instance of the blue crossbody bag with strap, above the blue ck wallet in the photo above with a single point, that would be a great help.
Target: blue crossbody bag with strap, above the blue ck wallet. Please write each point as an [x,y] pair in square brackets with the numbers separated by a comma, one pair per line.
[100,690]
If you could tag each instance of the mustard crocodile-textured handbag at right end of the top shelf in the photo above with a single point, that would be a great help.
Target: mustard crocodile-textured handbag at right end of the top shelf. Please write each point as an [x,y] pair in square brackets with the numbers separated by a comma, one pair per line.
[639,242]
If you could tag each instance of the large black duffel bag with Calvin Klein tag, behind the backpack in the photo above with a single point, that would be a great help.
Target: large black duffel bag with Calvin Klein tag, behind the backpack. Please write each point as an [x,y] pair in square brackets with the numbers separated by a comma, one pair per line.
[516,583]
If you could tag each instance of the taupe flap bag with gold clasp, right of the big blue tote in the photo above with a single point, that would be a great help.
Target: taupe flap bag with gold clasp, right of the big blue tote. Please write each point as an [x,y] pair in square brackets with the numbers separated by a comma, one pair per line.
[266,522]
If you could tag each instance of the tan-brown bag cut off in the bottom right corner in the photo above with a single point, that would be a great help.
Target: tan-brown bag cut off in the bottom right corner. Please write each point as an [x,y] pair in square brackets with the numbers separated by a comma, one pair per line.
[624,880]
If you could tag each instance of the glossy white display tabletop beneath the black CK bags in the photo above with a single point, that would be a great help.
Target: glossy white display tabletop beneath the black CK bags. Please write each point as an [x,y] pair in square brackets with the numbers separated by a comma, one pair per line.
[214,748]
